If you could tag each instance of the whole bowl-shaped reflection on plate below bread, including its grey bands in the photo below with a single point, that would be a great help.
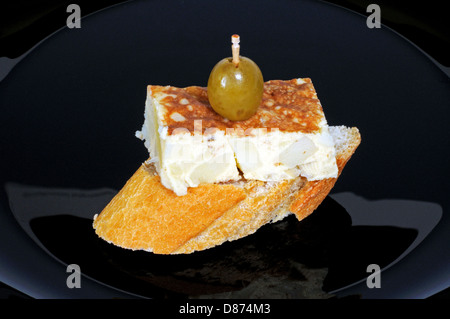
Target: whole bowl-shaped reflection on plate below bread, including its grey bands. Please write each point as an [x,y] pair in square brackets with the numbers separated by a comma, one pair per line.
[314,258]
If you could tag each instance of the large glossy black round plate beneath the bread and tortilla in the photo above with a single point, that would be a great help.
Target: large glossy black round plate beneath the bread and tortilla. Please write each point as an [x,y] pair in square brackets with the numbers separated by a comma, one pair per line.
[70,108]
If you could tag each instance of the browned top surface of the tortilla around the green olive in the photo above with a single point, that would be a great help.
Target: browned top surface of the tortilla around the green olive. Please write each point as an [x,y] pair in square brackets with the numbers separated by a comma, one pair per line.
[286,106]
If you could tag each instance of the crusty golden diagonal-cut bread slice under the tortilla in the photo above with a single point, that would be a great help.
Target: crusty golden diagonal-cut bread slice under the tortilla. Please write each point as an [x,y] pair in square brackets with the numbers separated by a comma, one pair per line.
[145,215]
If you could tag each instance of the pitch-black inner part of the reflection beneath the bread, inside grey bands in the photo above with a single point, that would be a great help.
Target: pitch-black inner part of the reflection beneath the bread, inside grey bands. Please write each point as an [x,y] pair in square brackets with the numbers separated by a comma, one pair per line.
[324,242]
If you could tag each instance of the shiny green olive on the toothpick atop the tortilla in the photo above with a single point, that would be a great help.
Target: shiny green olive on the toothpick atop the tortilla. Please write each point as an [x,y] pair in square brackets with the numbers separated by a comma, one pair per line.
[235,91]
